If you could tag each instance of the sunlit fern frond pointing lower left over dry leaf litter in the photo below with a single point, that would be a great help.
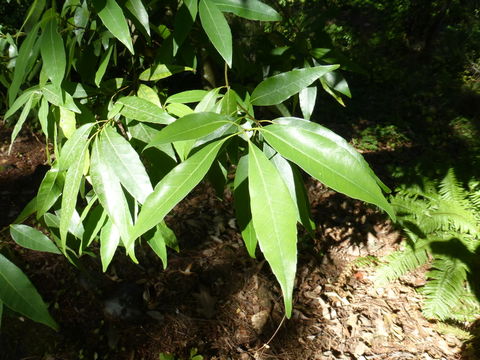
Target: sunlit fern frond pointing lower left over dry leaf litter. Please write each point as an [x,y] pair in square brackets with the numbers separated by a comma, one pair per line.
[401,262]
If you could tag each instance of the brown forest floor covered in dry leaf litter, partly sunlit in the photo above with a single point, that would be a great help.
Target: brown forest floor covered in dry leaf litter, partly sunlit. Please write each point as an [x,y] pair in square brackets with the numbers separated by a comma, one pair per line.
[213,299]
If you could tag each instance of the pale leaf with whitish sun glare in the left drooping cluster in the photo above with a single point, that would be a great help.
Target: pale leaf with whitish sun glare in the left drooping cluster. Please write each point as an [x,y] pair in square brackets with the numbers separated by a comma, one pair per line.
[109,191]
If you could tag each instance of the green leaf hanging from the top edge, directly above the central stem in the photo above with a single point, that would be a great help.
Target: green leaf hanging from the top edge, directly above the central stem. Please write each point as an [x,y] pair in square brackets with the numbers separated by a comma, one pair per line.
[217,29]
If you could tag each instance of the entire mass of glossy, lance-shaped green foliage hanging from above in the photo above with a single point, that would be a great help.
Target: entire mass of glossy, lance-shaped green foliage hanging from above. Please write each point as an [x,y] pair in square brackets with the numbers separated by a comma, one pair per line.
[134,128]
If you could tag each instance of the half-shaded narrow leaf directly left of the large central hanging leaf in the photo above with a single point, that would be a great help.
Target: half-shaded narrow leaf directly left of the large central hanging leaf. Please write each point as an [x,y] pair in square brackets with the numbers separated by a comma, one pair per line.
[243,212]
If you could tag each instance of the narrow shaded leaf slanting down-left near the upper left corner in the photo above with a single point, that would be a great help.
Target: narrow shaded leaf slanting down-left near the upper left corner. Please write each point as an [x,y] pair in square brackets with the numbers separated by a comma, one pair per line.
[28,52]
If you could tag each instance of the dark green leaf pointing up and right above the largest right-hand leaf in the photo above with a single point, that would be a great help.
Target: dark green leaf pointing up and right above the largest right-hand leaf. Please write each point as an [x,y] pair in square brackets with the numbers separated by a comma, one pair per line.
[278,88]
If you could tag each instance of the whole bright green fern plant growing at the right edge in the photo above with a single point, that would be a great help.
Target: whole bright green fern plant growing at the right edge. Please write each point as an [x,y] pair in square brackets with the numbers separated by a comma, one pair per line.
[441,221]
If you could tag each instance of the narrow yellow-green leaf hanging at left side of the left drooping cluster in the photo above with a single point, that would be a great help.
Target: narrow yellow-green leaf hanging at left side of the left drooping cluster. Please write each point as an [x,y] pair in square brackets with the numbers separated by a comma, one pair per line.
[70,192]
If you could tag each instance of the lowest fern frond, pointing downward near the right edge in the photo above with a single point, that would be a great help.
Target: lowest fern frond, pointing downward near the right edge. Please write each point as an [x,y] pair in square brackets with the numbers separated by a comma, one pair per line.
[444,289]
